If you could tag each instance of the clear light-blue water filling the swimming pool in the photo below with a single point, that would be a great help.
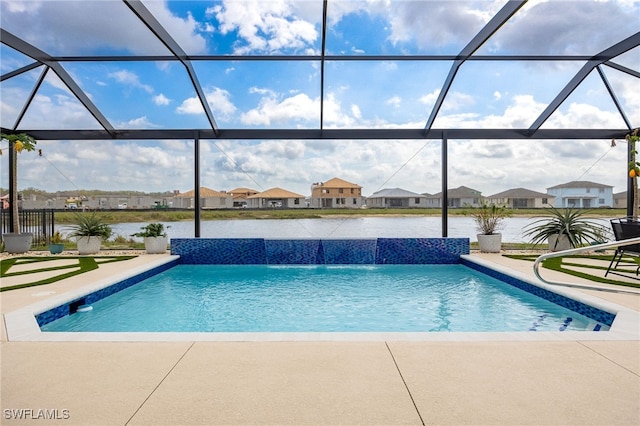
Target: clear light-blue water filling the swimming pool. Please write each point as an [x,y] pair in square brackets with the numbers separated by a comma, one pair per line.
[262,298]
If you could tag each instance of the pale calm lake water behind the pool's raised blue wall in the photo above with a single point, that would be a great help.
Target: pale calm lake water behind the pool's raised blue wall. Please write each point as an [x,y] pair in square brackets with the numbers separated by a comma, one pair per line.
[359,227]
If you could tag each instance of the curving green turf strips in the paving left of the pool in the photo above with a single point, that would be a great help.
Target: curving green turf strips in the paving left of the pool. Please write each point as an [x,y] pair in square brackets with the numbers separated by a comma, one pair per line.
[85,264]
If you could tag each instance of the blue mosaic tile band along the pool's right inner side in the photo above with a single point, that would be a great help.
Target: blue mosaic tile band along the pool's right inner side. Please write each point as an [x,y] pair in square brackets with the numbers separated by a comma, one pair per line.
[589,311]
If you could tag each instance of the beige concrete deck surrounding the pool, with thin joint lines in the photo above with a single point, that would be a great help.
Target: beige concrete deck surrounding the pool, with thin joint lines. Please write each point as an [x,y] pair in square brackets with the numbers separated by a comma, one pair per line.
[475,382]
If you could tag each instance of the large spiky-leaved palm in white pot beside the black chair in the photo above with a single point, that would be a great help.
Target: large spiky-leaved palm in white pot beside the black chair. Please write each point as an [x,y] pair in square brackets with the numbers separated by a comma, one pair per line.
[564,229]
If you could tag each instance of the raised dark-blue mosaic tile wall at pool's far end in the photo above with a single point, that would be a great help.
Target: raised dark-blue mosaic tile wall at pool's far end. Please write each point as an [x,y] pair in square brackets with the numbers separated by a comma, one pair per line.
[260,251]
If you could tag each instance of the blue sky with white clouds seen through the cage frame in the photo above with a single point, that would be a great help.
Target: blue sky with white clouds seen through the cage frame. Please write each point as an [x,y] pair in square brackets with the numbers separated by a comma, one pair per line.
[255,94]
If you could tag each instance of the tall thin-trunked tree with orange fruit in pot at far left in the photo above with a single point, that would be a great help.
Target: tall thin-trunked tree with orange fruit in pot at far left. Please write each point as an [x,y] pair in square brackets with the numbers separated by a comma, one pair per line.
[17,242]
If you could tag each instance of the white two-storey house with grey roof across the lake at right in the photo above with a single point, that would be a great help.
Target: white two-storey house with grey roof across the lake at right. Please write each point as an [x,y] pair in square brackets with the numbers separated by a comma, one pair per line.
[582,194]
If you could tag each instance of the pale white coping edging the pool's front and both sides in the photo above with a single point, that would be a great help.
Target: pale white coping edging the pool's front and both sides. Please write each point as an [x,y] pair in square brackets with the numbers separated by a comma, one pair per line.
[21,324]
